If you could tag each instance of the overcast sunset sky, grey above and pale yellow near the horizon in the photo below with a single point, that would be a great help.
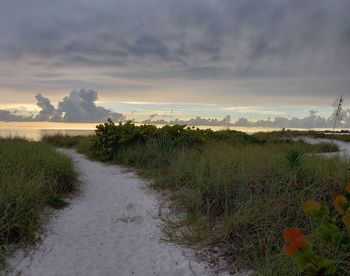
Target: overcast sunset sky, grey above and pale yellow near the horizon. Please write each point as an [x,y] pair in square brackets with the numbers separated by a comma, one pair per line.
[211,58]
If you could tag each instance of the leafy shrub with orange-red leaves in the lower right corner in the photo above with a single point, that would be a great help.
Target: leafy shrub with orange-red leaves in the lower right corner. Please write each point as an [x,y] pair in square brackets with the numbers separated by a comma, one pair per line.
[332,231]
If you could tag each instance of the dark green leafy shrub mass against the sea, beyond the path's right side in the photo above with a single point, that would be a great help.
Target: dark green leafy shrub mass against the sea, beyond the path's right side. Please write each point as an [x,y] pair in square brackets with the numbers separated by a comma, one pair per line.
[111,139]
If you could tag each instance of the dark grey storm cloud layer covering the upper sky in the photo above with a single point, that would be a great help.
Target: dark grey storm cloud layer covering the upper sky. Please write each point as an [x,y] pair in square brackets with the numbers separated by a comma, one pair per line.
[199,40]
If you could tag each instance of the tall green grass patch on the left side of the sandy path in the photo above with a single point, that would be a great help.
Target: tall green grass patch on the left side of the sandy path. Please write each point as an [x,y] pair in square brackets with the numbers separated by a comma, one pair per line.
[32,175]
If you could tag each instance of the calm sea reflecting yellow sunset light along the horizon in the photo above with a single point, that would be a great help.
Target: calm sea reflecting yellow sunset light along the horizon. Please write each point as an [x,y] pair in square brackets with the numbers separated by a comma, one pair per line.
[36,130]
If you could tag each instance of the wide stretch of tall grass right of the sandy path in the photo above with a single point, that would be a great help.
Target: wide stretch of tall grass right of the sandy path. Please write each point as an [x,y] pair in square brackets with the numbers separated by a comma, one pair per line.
[237,193]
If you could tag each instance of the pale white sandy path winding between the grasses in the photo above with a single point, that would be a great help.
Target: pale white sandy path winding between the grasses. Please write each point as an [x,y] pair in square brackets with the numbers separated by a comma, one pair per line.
[109,229]
